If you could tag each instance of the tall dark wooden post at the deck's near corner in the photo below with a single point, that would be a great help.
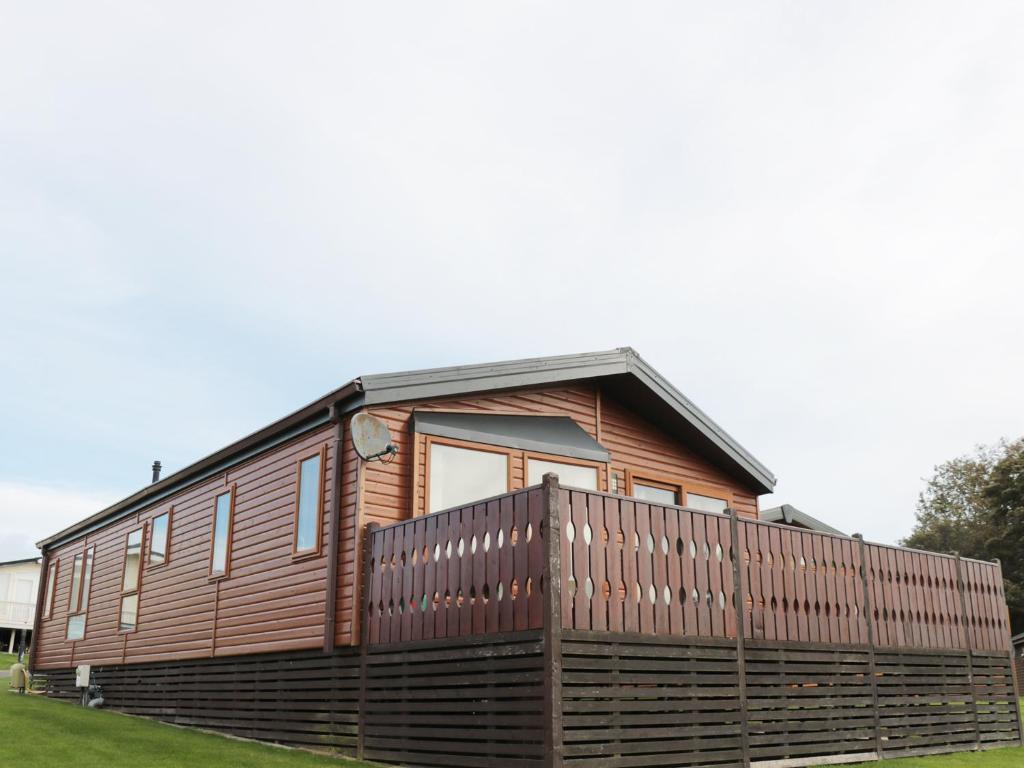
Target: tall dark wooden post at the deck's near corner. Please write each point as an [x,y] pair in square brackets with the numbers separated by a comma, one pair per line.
[552,623]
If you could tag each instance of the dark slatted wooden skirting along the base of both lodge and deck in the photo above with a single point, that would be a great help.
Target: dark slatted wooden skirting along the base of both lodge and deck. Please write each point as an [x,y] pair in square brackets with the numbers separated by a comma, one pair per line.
[627,701]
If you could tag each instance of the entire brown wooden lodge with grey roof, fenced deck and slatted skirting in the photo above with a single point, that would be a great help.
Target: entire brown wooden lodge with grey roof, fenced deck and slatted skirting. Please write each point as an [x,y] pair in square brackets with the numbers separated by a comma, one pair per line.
[563,566]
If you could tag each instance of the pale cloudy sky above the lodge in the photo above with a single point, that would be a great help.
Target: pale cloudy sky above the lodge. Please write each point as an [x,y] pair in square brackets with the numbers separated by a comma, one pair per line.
[807,217]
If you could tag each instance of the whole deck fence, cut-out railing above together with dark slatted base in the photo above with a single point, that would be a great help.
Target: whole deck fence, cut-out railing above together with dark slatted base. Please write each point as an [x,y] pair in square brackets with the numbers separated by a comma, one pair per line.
[671,636]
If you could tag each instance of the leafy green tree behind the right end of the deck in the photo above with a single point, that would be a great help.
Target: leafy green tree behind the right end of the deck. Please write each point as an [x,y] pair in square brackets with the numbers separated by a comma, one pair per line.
[975,505]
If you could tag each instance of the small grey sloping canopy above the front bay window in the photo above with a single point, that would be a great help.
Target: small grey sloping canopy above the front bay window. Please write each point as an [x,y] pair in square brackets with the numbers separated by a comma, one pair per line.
[547,435]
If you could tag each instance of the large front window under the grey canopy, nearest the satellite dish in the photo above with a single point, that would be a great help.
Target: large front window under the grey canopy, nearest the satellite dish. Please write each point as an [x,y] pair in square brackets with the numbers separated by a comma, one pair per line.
[459,476]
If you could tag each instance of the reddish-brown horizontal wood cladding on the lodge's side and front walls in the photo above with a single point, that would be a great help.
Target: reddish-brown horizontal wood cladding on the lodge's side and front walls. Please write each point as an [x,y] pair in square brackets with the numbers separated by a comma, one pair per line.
[273,601]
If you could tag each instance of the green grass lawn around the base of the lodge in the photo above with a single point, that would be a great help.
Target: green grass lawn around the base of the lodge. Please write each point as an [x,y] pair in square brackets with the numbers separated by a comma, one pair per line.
[38,734]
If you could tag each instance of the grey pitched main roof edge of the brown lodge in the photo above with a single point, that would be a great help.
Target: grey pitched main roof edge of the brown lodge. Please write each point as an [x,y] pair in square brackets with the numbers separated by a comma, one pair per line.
[624,373]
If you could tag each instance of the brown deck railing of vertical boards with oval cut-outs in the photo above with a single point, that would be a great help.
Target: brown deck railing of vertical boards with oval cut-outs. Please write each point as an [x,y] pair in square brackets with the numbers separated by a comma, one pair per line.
[631,567]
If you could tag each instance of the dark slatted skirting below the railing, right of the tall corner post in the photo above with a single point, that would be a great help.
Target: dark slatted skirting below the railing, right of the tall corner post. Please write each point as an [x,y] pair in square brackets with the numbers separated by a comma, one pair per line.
[643,702]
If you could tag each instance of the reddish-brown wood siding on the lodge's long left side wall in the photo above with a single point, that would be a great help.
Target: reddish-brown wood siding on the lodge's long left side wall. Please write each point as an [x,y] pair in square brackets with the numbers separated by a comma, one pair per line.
[270,602]
